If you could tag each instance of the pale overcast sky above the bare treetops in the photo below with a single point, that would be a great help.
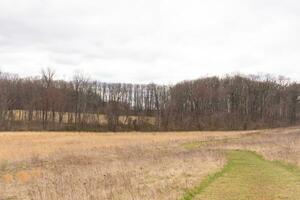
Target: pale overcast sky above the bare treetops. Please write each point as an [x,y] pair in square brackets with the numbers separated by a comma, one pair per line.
[141,41]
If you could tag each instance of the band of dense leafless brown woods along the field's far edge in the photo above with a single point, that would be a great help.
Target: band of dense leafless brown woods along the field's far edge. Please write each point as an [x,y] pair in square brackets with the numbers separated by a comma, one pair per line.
[233,102]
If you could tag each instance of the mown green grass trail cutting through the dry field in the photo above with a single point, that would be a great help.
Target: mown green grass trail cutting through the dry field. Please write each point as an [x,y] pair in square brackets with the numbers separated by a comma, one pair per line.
[248,176]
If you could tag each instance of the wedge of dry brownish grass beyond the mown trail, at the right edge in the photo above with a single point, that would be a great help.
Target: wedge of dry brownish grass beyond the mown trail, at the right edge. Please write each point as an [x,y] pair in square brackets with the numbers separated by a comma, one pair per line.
[275,144]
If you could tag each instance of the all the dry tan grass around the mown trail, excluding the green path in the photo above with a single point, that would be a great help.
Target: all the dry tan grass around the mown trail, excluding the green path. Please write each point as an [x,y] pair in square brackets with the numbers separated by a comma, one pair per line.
[133,166]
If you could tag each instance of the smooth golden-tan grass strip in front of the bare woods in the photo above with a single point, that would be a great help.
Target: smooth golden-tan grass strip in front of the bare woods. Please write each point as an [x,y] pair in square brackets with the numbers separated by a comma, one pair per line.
[19,146]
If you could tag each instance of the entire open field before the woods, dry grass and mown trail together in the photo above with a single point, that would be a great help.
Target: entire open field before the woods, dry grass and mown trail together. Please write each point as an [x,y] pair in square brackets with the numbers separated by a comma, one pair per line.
[174,165]
